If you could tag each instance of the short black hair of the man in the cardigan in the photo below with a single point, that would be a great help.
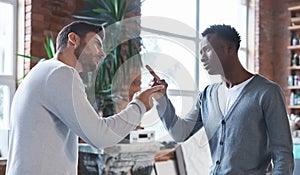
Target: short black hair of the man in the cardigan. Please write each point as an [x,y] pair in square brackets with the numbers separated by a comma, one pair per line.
[226,32]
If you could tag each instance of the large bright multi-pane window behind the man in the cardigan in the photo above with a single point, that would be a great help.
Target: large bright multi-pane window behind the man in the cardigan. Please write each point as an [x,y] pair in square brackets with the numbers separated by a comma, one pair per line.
[171,31]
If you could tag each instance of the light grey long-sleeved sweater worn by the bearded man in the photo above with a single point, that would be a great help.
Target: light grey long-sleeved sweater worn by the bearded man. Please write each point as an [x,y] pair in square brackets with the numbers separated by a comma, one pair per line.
[49,111]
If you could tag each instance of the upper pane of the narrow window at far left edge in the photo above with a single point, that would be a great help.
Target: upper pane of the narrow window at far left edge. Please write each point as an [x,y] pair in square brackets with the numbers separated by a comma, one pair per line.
[6,38]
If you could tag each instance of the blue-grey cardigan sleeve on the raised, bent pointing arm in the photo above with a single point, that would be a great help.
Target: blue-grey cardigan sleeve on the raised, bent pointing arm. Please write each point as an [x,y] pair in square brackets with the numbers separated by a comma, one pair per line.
[179,128]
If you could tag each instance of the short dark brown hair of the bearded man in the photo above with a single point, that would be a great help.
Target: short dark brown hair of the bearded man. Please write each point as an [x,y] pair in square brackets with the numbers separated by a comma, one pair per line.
[81,28]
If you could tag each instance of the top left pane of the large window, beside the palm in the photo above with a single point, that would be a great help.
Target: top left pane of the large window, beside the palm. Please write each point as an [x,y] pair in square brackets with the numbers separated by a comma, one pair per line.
[174,9]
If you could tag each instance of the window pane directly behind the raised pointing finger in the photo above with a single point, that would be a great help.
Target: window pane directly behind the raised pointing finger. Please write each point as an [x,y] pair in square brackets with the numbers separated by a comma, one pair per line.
[171,61]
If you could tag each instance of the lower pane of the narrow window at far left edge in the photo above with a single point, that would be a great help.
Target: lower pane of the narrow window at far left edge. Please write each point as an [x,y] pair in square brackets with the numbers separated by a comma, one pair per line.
[4,106]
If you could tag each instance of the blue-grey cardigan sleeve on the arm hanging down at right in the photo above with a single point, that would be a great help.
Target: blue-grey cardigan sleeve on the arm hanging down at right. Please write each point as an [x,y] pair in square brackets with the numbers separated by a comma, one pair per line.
[273,103]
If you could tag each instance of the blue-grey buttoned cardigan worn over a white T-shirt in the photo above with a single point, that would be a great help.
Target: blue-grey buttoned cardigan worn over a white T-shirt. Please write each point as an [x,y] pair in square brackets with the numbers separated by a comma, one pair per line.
[244,141]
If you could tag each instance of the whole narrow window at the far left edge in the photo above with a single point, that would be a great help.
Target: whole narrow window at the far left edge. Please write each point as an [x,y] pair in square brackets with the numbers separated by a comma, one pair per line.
[7,67]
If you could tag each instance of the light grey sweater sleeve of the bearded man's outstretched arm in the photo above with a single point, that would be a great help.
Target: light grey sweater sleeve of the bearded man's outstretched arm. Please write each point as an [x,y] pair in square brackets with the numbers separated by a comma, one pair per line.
[65,97]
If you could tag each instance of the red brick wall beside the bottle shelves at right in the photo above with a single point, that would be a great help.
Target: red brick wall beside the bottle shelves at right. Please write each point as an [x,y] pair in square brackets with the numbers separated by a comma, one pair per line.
[272,39]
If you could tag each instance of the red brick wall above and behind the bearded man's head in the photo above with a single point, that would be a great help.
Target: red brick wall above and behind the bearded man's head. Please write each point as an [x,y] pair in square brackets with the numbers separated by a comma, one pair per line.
[43,17]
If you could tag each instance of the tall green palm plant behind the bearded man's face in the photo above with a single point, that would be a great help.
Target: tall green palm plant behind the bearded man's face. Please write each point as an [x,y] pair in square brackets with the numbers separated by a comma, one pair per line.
[111,14]
